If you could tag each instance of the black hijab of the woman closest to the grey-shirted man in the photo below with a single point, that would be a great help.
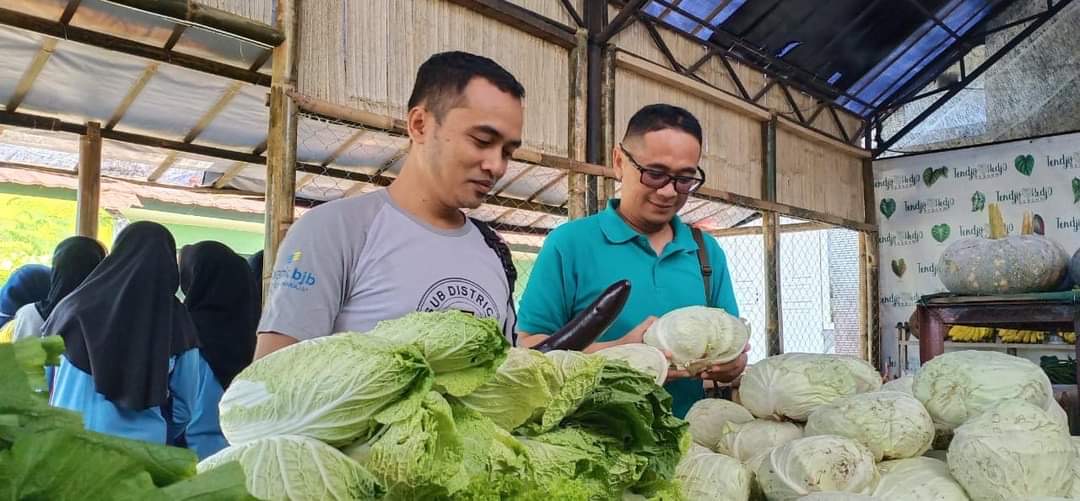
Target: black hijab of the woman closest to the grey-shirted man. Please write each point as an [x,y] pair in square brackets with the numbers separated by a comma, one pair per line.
[220,296]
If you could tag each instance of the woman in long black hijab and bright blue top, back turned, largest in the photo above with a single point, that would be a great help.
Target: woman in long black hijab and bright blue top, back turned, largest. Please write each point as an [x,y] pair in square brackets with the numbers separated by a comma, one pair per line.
[130,344]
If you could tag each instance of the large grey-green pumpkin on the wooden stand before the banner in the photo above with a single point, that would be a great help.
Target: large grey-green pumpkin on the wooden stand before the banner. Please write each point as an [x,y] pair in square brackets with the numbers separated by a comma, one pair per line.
[1002,264]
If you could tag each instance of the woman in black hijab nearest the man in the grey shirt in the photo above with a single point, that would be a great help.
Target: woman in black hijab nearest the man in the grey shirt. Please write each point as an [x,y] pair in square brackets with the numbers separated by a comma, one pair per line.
[219,294]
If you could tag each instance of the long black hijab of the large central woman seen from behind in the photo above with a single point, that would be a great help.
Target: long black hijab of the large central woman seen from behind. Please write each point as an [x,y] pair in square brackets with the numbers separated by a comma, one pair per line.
[124,324]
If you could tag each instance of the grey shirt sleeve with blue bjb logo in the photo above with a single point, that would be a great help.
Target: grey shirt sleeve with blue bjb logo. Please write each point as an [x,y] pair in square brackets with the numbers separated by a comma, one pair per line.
[310,277]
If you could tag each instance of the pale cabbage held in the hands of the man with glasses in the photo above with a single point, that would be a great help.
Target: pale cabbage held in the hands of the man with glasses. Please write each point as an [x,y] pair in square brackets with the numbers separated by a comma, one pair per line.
[698,337]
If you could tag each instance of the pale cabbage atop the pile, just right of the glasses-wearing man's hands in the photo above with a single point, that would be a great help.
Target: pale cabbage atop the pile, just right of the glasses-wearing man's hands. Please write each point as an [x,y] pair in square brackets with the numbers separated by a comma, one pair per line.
[793,385]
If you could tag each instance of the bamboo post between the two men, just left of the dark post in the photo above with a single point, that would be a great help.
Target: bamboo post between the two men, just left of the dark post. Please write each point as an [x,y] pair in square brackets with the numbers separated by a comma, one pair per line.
[579,90]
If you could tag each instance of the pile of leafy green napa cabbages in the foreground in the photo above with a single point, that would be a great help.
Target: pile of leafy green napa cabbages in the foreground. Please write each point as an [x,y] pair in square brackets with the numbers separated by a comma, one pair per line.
[438,407]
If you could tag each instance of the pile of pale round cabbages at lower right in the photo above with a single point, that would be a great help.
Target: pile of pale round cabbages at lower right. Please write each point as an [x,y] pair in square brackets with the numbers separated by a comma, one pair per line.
[819,427]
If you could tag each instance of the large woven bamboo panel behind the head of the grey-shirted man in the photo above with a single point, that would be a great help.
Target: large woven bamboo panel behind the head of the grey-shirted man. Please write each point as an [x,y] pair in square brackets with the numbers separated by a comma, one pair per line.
[364,56]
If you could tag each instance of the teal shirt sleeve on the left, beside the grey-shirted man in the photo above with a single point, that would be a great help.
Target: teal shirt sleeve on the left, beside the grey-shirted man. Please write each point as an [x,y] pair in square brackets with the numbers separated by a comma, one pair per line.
[547,302]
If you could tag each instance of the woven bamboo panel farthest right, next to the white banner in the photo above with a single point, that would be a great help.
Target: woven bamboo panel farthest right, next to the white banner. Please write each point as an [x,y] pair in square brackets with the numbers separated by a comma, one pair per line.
[811,175]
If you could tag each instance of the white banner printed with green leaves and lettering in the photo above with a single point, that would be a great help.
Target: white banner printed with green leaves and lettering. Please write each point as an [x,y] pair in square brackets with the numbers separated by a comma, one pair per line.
[928,201]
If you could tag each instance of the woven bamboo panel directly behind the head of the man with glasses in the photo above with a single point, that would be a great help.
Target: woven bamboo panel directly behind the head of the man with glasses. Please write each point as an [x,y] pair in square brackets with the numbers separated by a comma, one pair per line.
[732,155]
